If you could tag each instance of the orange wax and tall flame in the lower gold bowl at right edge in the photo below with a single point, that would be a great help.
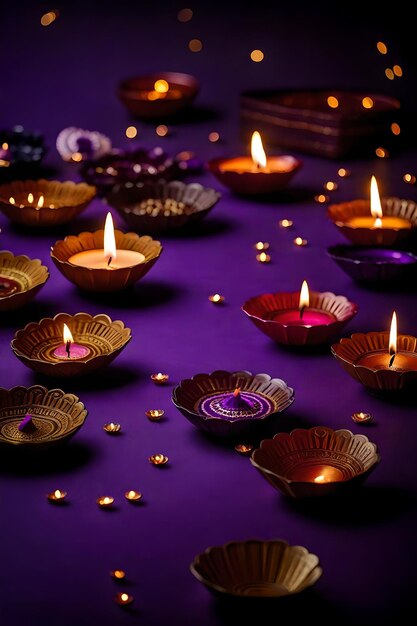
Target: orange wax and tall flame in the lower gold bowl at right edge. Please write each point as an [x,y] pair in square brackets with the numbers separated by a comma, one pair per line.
[391,359]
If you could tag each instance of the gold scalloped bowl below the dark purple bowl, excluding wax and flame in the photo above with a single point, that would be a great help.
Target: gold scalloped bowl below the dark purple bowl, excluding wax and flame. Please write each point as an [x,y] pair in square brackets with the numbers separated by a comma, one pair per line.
[349,351]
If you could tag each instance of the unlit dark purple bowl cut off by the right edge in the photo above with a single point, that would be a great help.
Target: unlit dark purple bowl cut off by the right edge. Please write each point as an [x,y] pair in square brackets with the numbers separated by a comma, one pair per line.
[375,265]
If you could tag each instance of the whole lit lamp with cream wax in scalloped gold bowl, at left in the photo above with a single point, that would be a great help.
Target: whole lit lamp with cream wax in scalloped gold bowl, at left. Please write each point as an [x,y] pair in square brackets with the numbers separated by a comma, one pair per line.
[105,261]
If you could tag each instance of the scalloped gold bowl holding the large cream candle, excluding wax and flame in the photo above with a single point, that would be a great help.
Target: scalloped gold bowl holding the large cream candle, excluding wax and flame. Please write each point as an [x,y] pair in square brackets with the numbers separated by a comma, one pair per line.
[93,279]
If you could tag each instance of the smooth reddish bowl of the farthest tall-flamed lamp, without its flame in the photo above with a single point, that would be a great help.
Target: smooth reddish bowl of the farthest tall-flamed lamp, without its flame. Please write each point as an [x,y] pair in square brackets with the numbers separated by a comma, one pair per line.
[255,183]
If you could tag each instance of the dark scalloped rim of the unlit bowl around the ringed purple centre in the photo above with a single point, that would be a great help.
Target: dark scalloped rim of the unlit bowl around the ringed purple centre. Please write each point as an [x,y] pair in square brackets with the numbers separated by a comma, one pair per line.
[189,391]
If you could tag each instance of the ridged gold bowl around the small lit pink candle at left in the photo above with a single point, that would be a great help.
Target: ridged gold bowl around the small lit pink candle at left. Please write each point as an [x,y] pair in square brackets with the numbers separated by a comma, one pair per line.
[37,345]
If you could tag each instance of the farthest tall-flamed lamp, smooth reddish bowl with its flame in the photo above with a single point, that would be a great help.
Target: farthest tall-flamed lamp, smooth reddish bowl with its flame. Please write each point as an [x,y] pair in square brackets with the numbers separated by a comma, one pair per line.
[256,174]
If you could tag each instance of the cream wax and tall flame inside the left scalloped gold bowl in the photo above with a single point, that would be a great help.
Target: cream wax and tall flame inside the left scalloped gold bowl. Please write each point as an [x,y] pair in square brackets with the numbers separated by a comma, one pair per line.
[108,258]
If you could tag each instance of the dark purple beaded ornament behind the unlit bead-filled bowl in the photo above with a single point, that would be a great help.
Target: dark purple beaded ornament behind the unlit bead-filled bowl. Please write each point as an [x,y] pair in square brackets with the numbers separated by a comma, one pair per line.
[136,166]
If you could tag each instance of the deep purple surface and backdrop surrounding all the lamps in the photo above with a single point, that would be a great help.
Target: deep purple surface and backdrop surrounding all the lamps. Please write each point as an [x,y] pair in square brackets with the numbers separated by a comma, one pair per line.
[55,562]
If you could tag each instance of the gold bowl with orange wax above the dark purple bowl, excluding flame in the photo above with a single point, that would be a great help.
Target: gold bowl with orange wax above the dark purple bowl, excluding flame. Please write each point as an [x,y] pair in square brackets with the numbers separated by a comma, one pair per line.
[402,226]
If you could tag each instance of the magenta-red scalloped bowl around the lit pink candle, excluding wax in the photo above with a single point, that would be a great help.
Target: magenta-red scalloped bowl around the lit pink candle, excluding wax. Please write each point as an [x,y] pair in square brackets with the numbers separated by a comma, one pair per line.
[339,306]
